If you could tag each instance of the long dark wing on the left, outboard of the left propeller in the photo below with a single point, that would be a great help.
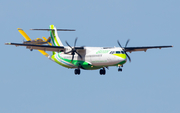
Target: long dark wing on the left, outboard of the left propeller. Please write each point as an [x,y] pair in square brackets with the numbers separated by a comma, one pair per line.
[40,47]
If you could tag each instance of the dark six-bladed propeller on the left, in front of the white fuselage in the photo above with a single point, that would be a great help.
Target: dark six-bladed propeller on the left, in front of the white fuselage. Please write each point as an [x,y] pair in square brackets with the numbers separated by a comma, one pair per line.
[73,50]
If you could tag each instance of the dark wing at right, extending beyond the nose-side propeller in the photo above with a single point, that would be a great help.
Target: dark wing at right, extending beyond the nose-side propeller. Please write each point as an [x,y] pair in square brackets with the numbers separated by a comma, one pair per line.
[132,49]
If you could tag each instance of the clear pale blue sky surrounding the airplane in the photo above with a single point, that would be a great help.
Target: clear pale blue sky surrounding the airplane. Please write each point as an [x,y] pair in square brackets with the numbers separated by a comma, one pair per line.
[31,83]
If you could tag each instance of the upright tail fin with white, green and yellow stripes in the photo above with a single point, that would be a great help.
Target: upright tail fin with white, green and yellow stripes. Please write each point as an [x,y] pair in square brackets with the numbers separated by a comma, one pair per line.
[54,36]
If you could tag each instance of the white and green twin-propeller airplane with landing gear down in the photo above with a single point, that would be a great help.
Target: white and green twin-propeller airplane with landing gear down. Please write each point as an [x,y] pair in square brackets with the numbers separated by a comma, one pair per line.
[87,58]
